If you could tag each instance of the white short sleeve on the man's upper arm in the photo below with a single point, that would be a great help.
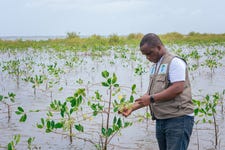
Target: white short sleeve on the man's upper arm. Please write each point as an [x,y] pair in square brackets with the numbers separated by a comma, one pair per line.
[177,70]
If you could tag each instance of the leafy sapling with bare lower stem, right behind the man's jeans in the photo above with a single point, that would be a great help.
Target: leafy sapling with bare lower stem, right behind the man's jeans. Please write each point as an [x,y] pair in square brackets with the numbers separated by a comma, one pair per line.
[206,111]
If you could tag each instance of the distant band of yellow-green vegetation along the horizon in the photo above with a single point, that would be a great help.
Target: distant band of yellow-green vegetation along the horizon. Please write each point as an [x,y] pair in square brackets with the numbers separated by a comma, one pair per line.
[94,42]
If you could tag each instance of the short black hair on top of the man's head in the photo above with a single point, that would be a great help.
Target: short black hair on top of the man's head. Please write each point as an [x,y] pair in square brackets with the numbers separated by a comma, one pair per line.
[151,39]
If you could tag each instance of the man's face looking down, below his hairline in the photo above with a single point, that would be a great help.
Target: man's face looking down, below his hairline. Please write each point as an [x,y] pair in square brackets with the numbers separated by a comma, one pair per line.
[152,53]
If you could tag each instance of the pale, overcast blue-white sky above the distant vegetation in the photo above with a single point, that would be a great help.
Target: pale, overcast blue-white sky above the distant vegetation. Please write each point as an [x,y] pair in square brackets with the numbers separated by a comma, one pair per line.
[104,17]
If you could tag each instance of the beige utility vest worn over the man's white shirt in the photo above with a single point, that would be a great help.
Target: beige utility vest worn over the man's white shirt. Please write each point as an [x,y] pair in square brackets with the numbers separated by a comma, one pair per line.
[181,104]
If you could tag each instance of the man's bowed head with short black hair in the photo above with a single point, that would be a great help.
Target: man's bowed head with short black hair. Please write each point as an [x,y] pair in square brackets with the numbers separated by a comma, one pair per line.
[152,47]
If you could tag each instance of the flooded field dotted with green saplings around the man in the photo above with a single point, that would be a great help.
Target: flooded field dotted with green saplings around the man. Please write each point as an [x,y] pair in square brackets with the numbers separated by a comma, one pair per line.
[41,79]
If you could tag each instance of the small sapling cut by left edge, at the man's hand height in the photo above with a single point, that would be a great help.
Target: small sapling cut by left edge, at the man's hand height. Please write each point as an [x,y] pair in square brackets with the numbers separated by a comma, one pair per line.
[3,99]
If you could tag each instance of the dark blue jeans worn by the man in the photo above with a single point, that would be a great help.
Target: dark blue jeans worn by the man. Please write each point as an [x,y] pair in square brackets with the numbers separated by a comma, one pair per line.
[174,133]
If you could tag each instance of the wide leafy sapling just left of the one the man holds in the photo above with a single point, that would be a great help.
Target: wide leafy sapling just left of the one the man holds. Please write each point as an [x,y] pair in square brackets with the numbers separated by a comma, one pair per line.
[67,110]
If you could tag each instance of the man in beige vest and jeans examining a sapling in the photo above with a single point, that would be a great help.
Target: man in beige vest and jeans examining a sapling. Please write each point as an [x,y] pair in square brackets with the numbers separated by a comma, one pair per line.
[168,96]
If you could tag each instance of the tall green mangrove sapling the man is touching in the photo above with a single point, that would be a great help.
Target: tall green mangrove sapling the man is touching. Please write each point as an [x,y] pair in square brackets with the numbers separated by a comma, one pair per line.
[107,132]
